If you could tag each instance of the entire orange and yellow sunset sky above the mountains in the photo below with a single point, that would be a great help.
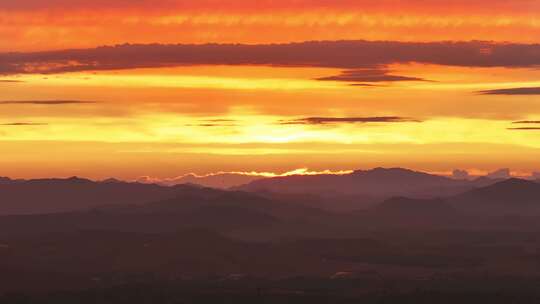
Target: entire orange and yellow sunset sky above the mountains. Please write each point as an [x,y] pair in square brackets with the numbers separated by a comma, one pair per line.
[132,88]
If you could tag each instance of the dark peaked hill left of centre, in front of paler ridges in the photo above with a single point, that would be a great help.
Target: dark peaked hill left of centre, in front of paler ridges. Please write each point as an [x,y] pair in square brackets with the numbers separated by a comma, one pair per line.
[211,209]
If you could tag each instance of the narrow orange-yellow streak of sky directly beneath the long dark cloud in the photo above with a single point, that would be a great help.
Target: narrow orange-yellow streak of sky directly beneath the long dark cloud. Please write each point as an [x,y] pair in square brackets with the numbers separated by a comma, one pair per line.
[265,78]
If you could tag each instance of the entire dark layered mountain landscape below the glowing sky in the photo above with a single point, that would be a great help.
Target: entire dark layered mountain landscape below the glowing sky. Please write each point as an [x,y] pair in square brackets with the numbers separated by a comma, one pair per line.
[76,233]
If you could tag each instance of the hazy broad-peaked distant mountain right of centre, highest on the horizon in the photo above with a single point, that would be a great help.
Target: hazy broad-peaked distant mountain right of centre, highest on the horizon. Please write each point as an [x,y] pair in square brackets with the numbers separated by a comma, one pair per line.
[379,182]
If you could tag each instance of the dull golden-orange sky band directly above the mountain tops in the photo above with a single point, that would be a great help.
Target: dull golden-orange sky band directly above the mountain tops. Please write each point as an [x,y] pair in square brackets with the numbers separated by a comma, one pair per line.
[103,160]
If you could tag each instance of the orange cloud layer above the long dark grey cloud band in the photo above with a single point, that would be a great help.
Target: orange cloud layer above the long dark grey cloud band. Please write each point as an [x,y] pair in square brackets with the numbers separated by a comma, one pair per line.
[39,25]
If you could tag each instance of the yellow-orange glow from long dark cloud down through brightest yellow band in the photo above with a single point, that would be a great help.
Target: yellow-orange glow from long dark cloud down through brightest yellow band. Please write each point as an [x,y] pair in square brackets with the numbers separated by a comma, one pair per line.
[163,115]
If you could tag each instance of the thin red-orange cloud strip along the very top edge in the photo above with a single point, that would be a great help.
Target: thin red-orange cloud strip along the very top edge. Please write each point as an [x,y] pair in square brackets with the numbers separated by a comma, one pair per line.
[247,5]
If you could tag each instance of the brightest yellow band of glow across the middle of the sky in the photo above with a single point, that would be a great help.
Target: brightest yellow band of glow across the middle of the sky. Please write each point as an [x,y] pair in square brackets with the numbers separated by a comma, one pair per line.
[267,129]
